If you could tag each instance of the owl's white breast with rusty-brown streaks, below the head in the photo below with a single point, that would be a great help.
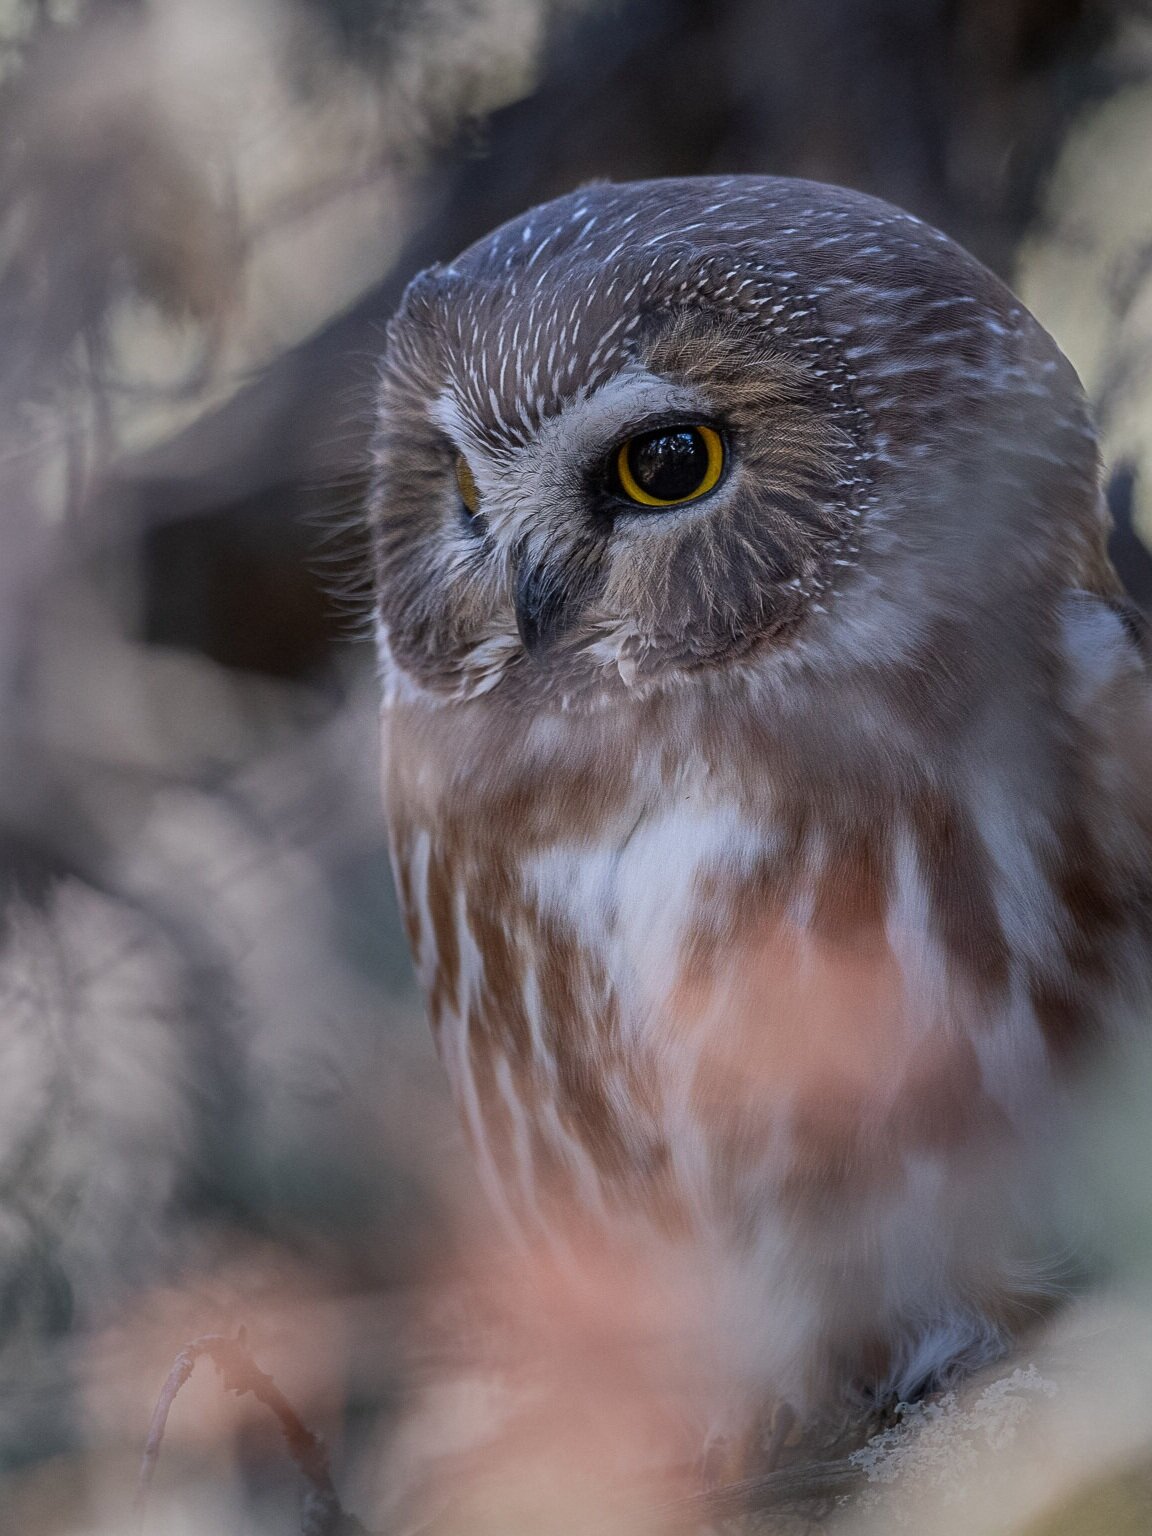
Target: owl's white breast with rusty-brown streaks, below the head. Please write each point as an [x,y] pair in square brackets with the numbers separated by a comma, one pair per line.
[795,1041]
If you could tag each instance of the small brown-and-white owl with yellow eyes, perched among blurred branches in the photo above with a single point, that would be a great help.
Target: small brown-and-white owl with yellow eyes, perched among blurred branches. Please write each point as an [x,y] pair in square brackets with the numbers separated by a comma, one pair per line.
[767,755]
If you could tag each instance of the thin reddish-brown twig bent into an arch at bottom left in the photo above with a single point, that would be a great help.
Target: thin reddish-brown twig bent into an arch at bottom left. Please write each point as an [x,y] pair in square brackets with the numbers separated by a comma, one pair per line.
[323,1514]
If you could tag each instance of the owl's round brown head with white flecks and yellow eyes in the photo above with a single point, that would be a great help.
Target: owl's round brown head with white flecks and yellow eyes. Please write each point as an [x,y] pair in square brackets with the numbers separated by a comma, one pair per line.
[684,429]
